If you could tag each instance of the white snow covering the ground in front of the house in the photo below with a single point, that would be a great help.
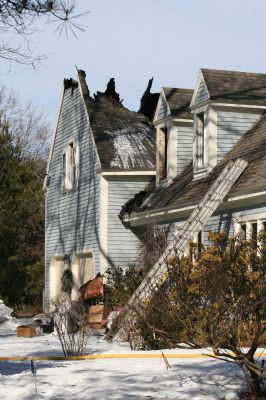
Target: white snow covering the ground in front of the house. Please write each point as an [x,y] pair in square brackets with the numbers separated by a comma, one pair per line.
[116,379]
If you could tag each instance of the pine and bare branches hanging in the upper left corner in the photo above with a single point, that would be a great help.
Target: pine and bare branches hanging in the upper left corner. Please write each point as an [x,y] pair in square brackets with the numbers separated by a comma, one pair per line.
[18,20]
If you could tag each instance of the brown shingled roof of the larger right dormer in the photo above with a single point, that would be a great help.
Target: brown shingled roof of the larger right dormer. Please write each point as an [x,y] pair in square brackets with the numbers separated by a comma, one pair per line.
[236,87]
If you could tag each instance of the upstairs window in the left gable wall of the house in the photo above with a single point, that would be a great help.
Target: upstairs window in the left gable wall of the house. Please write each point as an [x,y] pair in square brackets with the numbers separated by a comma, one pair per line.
[70,166]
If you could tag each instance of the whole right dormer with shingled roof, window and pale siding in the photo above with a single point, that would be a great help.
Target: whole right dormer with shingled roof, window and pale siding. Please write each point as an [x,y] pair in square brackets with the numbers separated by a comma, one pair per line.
[225,104]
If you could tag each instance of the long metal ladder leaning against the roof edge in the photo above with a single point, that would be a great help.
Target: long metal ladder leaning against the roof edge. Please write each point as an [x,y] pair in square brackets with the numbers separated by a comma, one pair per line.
[198,218]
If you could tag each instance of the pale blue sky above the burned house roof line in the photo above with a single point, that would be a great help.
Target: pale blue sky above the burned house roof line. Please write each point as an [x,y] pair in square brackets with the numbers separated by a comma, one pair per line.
[135,40]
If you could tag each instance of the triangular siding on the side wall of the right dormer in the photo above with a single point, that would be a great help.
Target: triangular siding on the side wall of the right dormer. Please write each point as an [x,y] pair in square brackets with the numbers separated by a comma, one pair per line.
[230,128]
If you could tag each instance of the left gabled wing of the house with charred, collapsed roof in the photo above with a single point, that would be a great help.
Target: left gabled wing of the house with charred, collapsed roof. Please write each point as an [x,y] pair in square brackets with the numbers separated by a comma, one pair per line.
[101,155]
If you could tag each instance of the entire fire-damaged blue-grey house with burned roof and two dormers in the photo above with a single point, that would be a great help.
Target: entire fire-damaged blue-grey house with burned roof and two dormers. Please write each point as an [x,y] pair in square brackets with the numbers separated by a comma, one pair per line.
[110,177]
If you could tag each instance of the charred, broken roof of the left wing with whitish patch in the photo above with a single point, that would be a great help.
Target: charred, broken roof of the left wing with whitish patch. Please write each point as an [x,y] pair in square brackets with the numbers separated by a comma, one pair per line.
[124,139]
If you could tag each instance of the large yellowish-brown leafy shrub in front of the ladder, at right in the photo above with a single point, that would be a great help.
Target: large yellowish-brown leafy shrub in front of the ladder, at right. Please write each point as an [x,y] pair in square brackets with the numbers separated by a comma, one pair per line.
[218,300]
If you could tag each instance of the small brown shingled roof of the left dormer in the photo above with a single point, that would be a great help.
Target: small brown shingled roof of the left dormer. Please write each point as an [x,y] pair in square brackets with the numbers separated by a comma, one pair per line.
[179,102]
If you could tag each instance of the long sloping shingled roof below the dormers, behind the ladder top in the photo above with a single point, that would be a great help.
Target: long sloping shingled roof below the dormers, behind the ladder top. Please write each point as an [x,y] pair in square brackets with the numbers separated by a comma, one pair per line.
[184,191]
